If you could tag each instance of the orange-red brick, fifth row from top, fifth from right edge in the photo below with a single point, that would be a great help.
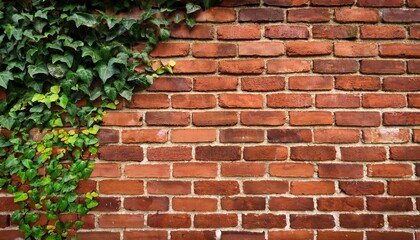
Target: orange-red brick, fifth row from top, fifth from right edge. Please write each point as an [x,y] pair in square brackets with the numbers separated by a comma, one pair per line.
[249,66]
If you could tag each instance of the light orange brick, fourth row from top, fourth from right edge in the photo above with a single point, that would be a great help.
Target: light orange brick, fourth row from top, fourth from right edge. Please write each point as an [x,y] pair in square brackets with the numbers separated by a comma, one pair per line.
[261,49]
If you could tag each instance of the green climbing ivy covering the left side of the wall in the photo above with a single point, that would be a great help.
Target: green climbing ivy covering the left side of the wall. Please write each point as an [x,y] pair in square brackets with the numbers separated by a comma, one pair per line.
[62,64]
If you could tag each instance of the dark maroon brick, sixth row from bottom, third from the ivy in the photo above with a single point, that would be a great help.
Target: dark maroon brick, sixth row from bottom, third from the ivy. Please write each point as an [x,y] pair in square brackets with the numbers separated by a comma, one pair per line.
[218,153]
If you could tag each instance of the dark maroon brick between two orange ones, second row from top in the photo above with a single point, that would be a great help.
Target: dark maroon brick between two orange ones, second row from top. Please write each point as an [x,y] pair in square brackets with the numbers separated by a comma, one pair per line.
[261,15]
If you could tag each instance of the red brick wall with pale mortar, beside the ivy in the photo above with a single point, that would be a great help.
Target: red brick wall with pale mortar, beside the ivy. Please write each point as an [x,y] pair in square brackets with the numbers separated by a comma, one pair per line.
[285,119]
